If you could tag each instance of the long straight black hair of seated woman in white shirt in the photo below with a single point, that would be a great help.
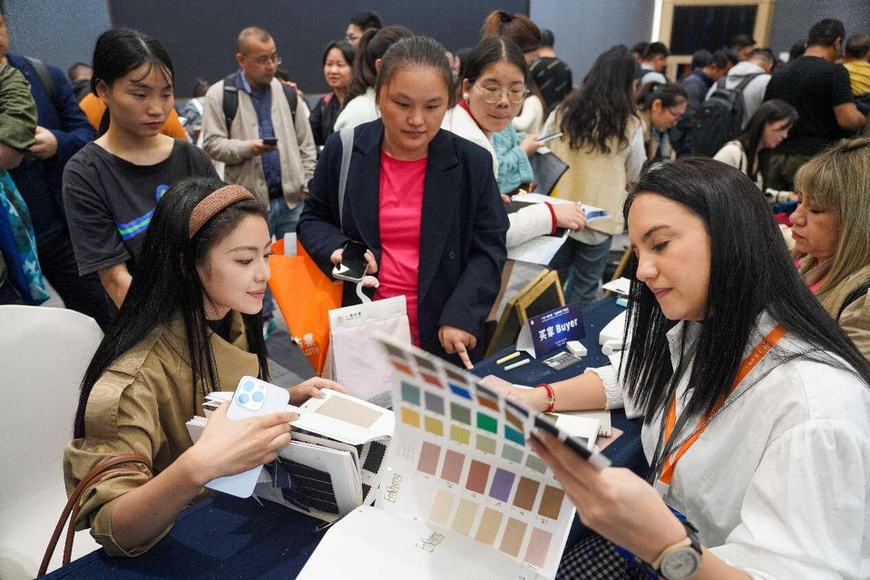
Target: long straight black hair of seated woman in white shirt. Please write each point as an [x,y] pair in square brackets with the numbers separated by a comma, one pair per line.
[751,270]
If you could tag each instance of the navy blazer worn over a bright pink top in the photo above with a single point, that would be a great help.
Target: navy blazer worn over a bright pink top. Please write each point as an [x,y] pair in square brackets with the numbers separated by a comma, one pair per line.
[463,226]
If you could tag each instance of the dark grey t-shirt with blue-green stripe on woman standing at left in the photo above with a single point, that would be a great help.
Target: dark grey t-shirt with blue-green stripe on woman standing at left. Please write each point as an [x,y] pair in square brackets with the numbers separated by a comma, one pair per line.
[109,201]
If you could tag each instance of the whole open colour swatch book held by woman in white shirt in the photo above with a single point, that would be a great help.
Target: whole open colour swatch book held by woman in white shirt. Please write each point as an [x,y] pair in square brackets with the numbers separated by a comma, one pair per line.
[462,494]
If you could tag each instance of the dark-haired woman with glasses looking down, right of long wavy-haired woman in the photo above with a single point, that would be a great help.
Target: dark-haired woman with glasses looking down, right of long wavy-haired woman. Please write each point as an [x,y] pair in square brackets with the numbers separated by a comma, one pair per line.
[660,106]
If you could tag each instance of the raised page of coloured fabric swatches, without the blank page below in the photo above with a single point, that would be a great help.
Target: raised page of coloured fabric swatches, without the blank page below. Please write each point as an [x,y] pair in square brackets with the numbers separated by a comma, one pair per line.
[459,459]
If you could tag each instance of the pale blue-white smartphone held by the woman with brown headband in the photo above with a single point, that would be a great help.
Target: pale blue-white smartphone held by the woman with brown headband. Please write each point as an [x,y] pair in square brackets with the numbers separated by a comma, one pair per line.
[252,398]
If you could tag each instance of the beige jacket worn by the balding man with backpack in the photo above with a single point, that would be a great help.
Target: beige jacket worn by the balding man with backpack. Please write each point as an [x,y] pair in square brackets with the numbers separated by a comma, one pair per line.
[295,143]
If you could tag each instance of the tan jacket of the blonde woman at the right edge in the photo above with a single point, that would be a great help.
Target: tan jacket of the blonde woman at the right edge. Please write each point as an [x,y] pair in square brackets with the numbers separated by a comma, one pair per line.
[855,320]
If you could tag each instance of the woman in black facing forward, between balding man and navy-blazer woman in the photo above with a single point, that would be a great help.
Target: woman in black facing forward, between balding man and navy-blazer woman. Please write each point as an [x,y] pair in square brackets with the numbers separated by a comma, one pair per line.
[337,59]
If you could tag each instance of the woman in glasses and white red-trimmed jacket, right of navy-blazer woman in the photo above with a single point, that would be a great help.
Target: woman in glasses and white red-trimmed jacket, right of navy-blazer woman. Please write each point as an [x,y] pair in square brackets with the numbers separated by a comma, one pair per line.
[493,90]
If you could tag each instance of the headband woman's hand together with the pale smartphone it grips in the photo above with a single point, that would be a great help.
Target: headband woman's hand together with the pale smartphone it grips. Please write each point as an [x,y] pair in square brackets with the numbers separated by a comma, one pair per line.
[252,399]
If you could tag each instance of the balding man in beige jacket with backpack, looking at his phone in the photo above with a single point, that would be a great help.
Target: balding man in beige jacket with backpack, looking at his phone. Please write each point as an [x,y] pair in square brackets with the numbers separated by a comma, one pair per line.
[258,127]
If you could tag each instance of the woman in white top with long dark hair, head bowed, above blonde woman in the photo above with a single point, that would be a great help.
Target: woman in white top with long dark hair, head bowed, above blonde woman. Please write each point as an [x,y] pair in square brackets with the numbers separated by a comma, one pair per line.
[767,128]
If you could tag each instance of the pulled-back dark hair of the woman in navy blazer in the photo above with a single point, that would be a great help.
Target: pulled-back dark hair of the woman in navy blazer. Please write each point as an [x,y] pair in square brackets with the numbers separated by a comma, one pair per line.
[416,52]
